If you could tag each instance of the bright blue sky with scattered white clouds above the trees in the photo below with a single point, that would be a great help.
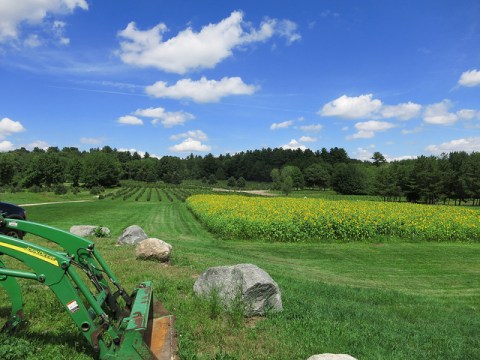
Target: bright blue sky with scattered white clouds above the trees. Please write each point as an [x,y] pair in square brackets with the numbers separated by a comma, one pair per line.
[176,77]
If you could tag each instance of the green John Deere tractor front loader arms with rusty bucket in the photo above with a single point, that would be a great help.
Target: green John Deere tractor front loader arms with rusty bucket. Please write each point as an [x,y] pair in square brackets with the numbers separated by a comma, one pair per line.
[117,324]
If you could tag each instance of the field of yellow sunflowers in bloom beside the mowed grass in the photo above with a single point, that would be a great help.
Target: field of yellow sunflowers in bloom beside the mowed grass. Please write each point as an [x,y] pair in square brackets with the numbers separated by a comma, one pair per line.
[320,220]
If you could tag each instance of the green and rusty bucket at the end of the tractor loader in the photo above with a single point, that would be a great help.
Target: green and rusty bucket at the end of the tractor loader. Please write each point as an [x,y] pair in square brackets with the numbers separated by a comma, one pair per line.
[149,332]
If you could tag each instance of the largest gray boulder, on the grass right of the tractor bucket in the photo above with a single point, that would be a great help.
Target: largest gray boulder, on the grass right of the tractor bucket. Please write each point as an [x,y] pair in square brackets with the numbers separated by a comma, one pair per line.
[256,289]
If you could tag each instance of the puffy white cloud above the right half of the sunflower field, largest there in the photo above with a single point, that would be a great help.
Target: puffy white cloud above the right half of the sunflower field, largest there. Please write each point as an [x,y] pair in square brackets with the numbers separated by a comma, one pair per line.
[352,107]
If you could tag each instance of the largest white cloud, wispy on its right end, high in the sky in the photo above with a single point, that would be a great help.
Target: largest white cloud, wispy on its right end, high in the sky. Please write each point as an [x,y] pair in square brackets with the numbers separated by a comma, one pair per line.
[190,50]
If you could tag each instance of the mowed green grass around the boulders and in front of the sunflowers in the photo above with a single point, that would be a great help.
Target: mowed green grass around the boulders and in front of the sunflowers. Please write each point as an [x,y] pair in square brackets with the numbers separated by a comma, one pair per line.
[373,301]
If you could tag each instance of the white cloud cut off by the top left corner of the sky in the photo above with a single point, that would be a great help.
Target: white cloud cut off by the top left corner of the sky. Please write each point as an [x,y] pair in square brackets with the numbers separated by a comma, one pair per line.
[14,13]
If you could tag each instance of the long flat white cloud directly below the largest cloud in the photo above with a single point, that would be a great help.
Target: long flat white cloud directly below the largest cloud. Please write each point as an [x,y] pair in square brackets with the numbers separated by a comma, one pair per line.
[201,91]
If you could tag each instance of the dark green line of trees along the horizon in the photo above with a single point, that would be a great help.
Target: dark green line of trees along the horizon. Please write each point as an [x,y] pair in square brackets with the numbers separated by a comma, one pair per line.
[428,179]
